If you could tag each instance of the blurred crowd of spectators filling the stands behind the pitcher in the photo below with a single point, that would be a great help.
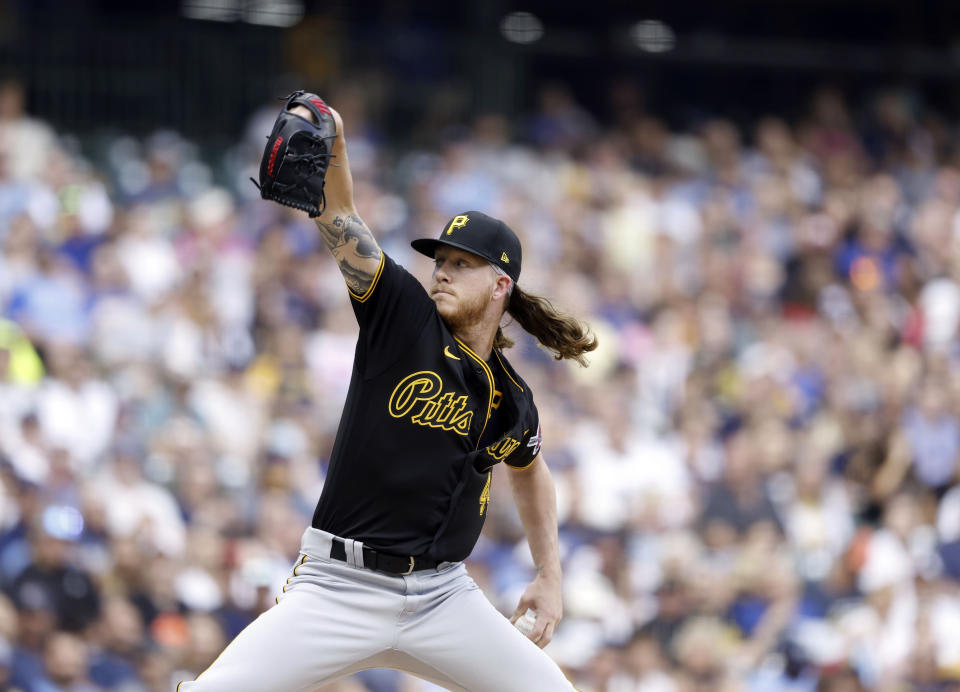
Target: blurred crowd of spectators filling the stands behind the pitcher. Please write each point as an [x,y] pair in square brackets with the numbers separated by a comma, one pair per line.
[757,475]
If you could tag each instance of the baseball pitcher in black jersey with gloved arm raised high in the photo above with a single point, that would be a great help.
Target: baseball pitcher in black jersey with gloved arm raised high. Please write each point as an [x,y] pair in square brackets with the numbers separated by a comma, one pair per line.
[433,406]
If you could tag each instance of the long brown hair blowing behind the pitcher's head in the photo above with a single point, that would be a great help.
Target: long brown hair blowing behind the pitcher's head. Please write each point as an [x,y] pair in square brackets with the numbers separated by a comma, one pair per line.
[565,336]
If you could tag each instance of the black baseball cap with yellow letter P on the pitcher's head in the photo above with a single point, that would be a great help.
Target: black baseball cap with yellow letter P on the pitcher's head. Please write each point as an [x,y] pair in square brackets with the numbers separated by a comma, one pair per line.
[482,235]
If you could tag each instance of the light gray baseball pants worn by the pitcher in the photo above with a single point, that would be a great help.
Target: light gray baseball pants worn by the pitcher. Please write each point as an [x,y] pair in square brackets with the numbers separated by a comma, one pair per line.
[334,619]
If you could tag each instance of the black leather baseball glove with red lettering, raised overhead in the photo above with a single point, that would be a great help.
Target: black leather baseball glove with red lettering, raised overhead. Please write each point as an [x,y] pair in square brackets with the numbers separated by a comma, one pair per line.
[297,155]
